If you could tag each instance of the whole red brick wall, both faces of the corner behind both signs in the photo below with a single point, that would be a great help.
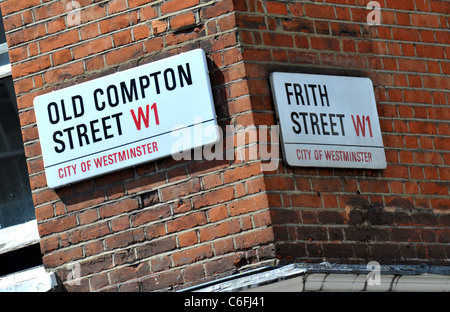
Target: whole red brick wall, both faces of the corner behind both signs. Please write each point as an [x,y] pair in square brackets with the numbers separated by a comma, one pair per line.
[170,223]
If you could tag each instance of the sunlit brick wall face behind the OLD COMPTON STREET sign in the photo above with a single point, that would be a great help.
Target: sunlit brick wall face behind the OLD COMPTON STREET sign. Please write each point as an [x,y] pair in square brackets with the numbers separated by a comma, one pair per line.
[164,223]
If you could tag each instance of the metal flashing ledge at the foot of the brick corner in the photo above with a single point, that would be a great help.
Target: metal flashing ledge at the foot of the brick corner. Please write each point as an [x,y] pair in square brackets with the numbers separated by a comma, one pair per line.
[304,277]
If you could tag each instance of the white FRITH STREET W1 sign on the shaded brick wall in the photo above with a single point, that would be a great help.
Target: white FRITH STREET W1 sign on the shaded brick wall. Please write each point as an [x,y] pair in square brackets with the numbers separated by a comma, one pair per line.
[328,121]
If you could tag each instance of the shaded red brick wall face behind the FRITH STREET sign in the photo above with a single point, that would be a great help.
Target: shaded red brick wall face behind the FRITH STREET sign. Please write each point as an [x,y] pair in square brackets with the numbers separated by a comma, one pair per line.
[396,215]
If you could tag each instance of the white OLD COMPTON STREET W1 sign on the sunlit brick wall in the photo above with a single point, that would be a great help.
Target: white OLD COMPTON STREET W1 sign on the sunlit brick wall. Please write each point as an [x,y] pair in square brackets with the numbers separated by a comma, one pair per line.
[126,118]
